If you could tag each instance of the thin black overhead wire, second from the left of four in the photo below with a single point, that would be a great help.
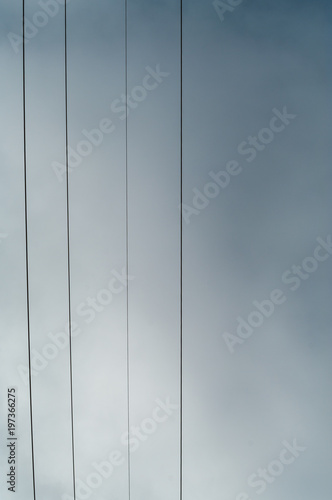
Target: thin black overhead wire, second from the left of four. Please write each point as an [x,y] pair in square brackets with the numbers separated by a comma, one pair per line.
[68,262]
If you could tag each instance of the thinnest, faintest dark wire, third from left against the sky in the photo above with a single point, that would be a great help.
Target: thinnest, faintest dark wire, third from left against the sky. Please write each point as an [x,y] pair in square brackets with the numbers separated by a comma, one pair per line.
[127,246]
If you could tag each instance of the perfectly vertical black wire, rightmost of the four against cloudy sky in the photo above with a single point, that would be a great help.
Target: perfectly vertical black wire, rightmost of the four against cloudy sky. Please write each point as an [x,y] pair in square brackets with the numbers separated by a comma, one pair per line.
[181,250]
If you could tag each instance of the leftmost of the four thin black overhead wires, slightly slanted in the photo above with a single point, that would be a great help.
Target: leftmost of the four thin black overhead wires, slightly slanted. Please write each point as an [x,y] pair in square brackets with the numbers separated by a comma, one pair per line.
[27,254]
